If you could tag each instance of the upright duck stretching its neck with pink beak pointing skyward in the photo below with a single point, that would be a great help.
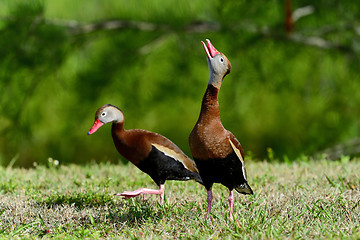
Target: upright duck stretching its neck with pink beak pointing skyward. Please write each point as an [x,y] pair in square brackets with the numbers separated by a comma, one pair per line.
[216,151]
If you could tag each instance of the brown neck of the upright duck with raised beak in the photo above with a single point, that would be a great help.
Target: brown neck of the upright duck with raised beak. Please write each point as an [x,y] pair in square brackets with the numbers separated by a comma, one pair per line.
[210,104]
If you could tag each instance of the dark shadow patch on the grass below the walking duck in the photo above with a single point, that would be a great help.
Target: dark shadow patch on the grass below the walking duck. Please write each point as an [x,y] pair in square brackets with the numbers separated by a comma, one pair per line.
[131,212]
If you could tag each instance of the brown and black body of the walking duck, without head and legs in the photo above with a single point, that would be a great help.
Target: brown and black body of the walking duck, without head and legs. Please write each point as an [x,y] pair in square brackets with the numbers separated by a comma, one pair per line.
[155,155]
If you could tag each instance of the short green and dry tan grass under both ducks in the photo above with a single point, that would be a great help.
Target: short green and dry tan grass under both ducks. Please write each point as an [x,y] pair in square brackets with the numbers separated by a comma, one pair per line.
[304,199]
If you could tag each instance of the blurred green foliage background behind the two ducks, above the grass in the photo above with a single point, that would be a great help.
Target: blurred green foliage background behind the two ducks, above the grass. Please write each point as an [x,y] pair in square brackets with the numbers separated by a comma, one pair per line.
[295,92]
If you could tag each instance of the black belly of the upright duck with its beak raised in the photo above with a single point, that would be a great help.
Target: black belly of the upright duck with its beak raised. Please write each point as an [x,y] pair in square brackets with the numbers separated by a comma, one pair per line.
[227,171]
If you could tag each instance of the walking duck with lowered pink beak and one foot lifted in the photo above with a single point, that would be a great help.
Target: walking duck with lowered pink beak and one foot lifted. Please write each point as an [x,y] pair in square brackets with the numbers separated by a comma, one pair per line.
[152,153]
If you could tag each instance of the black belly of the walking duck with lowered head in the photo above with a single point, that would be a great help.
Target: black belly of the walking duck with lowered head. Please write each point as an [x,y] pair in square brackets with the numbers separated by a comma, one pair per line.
[161,167]
